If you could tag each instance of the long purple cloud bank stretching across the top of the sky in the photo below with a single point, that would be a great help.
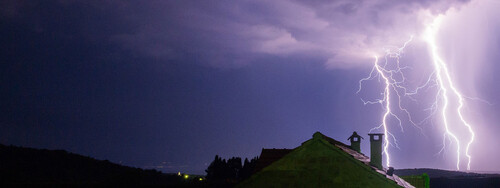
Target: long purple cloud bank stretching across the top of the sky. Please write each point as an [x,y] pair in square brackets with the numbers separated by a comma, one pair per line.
[234,33]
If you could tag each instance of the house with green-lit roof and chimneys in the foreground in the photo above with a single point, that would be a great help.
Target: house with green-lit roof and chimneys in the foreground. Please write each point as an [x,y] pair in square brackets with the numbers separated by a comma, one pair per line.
[324,162]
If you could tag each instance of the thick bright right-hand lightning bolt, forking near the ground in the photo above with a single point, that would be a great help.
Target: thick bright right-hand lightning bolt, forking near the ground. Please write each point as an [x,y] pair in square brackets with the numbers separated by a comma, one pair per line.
[445,82]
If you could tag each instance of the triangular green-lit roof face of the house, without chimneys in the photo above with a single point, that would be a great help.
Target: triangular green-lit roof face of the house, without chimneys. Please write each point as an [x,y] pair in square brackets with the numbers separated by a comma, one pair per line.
[317,163]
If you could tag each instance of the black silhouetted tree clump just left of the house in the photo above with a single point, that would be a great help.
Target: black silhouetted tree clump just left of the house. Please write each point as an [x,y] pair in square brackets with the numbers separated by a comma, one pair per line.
[231,170]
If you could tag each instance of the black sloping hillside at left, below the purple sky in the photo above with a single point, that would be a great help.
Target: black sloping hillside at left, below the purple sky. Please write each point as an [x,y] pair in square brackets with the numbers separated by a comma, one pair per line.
[27,167]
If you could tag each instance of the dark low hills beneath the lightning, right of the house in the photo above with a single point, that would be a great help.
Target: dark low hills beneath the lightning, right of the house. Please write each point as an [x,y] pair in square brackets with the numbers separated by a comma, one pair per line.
[455,179]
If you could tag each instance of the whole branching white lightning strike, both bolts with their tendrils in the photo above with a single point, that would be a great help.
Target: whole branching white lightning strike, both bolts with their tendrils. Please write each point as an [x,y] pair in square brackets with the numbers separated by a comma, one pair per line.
[391,75]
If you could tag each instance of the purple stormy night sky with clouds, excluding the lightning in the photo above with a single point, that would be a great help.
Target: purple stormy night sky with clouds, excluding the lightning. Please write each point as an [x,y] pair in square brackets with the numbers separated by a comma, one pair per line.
[170,84]
